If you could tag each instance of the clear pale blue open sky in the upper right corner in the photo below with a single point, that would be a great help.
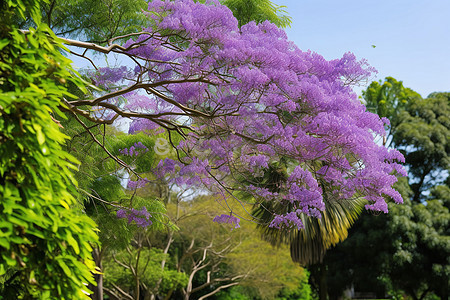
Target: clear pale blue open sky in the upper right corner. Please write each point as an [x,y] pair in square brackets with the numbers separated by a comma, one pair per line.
[411,38]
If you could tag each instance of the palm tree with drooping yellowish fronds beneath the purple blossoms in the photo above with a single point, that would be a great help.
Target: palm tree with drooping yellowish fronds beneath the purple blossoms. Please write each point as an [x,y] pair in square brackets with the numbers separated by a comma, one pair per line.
[309,245]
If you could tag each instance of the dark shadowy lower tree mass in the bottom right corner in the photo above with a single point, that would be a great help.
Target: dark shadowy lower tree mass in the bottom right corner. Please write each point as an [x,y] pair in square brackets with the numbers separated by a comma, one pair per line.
[410,247]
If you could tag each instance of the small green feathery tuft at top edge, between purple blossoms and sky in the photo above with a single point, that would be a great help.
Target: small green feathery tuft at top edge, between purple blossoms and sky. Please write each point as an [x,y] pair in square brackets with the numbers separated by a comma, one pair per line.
[259,11]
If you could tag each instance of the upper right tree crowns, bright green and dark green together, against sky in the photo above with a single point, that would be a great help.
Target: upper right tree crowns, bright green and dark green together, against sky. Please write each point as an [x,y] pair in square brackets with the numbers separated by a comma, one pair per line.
[418,127]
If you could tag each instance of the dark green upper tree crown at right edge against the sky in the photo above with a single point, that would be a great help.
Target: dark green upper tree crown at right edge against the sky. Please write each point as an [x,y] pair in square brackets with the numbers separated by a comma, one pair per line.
[424,137]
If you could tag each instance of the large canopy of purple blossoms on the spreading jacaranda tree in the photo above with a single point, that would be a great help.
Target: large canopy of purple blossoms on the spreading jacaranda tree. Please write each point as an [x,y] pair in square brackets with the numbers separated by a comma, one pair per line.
[249,98]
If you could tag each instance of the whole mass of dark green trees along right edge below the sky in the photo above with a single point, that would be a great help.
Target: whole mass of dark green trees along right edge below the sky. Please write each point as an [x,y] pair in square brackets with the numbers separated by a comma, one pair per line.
[410,245]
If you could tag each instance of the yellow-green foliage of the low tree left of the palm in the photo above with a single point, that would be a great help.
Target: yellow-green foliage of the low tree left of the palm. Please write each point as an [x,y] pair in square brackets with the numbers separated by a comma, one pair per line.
[264,271]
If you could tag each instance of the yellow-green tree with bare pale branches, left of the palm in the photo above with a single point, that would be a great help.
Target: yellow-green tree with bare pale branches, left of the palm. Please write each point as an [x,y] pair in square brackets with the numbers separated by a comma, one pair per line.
[216,258]
